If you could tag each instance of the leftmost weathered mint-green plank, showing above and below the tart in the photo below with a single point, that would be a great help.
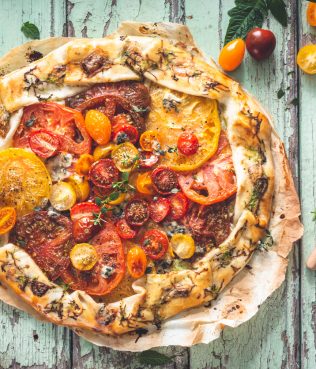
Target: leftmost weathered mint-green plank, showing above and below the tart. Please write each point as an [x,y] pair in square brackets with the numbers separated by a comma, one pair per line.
[24,341]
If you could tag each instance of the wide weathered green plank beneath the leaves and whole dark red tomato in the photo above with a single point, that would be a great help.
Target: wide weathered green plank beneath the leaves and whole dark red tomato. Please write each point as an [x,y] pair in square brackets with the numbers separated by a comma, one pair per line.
[271,338]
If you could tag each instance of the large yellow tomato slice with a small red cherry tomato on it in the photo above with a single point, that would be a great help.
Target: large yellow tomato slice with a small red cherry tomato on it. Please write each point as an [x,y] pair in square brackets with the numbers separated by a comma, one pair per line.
[171,114]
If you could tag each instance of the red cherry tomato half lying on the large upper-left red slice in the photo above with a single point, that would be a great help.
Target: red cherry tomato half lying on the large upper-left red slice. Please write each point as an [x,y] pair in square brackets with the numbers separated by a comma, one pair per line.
[44,143]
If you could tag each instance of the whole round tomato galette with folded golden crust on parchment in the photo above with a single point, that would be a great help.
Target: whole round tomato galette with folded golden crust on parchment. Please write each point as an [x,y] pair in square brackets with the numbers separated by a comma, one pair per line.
[136,181]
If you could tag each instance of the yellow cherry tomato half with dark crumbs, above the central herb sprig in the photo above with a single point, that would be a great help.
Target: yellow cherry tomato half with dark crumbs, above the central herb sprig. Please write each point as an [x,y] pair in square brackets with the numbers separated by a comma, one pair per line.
[125,156]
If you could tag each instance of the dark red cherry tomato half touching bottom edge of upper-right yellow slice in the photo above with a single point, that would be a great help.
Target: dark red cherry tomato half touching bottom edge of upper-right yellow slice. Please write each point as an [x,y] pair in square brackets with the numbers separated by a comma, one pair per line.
[164,180]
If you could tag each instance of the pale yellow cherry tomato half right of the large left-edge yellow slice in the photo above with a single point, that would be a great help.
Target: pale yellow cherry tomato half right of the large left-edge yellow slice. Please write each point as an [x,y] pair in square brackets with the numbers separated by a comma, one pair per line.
[62,196]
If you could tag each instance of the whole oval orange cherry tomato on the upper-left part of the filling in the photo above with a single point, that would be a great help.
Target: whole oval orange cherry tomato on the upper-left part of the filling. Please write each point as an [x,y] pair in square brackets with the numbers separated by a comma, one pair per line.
[98,126]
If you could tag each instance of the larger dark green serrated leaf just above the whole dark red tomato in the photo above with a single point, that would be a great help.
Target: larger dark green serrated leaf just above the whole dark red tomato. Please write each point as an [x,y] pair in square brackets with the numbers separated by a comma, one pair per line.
[246,15]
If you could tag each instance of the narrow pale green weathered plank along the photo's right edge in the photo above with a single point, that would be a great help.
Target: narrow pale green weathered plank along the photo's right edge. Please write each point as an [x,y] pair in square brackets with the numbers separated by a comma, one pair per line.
[308,196]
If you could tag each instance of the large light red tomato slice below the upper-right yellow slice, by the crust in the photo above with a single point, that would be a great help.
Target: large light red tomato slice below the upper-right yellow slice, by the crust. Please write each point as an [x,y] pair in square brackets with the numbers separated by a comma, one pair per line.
[214,182]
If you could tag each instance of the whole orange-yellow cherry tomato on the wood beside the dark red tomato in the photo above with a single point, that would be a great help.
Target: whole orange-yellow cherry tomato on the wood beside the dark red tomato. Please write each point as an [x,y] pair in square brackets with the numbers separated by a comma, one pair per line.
[232,54]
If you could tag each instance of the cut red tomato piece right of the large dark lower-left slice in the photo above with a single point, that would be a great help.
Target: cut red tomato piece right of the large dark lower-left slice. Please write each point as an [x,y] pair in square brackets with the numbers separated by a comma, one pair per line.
[83,221]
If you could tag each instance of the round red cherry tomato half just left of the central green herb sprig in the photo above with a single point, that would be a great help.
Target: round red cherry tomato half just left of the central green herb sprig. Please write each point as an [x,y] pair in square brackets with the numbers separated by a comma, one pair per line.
[103,173]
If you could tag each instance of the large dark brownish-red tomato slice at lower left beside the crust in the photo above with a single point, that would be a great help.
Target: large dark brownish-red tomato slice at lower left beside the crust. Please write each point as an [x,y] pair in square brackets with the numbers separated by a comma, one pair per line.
[47,238]
